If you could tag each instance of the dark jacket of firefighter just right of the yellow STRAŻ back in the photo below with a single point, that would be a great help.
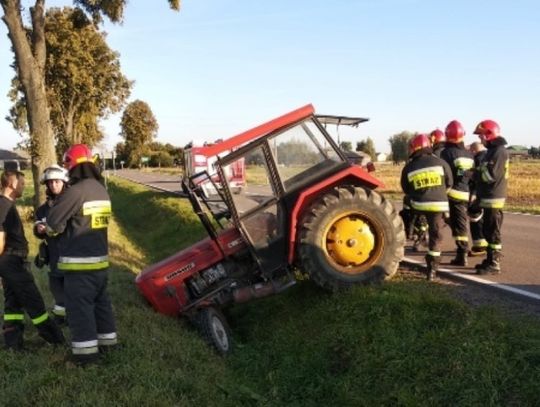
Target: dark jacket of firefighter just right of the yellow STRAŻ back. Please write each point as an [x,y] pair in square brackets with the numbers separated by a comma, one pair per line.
[461,163]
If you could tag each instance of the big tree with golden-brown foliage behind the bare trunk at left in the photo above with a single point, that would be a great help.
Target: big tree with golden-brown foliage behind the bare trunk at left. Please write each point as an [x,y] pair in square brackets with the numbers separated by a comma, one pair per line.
[83,80]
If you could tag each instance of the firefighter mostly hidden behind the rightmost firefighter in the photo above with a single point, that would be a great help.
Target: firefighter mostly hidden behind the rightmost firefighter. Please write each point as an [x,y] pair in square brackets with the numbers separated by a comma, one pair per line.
[476,221]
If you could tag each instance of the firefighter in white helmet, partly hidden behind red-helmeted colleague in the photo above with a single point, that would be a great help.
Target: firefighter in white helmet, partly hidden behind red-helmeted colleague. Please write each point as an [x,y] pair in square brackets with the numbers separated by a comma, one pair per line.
[55,179]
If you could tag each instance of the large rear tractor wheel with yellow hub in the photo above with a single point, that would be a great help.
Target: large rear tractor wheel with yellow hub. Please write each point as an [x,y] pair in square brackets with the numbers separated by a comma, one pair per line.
[350,235]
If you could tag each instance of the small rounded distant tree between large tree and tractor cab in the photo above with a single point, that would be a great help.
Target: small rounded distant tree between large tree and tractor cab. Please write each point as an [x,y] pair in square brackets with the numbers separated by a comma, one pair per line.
[138,128]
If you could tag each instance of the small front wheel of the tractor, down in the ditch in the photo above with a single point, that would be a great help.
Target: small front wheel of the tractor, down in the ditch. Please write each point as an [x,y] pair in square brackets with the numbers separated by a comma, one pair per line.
[214,329]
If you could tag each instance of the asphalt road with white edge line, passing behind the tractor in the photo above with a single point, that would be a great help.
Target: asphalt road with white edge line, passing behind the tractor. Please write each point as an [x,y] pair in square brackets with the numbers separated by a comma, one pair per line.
[521,242]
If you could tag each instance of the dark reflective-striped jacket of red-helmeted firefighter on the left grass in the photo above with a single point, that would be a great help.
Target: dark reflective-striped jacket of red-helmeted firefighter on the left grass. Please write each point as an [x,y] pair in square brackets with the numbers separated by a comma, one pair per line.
[81,217]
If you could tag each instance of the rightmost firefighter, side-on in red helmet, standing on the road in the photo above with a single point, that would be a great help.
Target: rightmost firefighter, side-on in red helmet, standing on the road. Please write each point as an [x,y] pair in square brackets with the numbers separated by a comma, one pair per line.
[492,182]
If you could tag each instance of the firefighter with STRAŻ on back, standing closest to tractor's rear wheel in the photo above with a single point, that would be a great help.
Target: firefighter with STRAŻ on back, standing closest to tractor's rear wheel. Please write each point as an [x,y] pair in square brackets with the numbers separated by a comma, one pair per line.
[425,180]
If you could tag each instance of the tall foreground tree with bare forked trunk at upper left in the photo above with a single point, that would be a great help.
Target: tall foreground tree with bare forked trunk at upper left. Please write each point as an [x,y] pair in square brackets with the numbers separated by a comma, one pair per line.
[30,57]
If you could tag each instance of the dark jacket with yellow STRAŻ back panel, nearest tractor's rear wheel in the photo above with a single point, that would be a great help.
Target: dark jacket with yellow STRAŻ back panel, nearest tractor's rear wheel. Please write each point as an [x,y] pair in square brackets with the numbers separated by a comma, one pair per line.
[425,180]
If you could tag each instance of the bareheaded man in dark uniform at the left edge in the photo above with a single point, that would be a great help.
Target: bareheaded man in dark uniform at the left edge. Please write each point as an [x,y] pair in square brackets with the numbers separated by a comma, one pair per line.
[20,291]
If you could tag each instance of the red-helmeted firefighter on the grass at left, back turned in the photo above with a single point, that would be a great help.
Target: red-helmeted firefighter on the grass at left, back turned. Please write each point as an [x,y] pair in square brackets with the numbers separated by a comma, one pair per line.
[81,217]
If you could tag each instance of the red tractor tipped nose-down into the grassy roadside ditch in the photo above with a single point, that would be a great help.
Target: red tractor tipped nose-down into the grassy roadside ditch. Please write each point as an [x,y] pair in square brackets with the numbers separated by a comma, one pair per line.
[305,209]
